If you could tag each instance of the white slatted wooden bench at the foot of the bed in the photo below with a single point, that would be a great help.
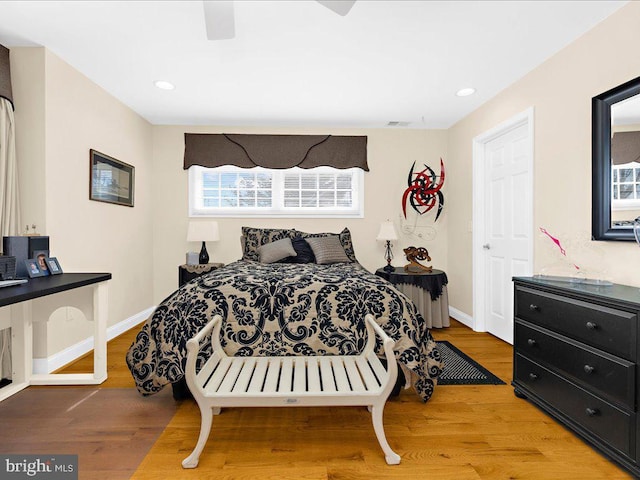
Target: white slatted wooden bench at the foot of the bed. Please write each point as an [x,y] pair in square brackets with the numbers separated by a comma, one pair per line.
[350,380]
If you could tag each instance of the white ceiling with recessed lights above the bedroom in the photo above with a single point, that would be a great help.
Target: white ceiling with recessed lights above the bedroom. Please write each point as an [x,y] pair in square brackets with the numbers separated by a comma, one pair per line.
[297,63]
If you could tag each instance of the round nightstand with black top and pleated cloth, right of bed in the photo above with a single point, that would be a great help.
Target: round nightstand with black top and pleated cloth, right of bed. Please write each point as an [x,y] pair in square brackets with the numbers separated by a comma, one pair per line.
[428,290]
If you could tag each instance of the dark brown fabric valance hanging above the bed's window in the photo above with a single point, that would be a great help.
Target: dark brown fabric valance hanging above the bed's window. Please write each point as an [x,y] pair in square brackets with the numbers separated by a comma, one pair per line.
[275,151]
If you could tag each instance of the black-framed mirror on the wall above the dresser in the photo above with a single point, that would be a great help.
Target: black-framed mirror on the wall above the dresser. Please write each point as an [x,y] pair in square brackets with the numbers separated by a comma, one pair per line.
[616,162]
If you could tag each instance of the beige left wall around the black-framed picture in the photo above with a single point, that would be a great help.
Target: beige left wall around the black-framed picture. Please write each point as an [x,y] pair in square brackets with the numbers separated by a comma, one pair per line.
[60,115]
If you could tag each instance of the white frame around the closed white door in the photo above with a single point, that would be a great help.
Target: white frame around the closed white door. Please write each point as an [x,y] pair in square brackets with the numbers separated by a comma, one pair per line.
[479,214]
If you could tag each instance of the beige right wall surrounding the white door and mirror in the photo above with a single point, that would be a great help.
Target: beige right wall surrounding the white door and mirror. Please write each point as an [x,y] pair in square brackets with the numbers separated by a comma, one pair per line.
[560,90]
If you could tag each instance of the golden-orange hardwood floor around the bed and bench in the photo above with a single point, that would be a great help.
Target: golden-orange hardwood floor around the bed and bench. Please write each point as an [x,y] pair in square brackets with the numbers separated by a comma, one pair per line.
[463,432]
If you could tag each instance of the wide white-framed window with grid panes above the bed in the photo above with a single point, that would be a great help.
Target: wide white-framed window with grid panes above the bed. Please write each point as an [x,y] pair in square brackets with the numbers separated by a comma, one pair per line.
[295,192]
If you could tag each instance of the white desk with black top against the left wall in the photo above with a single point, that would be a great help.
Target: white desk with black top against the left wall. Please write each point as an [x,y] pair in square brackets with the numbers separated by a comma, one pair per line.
[20,300]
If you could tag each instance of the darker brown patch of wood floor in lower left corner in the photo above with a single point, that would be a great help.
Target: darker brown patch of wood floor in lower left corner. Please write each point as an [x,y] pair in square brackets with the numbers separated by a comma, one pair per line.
[109,429]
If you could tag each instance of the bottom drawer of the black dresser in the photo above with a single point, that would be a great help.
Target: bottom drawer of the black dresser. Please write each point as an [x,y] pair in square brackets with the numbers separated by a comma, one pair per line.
[595,415]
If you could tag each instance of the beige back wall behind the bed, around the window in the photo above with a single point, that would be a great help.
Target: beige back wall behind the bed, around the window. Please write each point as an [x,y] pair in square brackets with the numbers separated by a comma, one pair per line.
[390,155]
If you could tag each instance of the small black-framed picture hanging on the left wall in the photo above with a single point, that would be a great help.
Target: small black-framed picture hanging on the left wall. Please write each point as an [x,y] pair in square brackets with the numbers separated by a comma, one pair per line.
[111,180]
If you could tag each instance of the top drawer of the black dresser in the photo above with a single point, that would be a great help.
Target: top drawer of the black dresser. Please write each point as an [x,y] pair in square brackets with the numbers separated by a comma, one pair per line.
[610,329]
